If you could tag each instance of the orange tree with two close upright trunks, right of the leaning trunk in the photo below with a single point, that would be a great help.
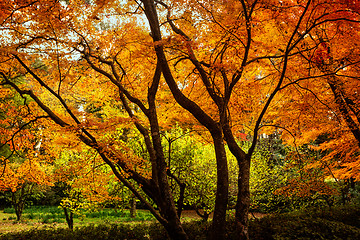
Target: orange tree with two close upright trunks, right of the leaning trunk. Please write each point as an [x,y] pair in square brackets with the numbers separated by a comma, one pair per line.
[239,35]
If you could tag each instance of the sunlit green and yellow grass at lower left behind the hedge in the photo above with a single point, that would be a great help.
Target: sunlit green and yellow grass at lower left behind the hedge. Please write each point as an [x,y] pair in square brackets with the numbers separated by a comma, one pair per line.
[52,216]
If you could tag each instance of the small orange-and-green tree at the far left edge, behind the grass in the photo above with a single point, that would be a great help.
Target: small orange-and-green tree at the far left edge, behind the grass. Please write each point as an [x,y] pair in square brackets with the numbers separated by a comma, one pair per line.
[24,162]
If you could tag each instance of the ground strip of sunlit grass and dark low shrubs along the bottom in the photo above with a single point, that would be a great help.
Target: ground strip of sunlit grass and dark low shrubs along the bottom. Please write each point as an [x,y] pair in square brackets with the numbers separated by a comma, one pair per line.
[341,222]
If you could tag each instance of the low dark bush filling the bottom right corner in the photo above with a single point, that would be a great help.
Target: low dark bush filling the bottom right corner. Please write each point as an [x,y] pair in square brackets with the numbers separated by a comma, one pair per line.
[339,223]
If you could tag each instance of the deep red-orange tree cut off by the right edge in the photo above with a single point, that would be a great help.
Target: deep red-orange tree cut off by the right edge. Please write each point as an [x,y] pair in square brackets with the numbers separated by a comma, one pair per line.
[326,106]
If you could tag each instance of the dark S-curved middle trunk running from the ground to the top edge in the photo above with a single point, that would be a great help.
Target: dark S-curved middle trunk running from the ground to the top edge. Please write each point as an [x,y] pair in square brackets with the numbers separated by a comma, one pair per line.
[218,228]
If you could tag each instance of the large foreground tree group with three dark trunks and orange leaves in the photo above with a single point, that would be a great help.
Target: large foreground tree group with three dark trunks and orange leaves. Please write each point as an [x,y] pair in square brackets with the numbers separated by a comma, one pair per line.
[215,57]
